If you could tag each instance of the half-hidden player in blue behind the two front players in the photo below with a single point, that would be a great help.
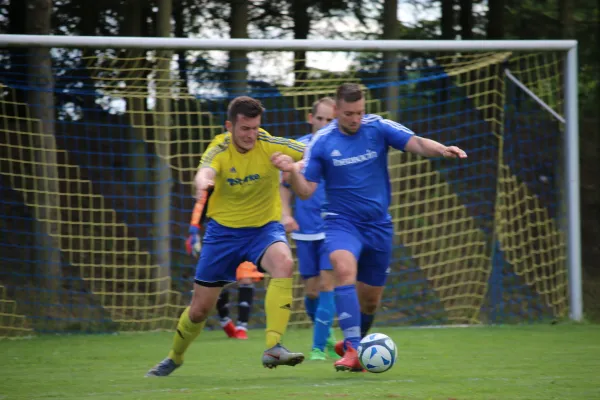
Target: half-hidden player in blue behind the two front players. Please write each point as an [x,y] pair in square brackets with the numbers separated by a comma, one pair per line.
[309,234]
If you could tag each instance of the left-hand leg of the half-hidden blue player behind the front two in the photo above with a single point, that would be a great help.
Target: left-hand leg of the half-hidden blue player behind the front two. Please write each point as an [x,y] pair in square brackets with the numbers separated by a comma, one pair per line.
[308,268]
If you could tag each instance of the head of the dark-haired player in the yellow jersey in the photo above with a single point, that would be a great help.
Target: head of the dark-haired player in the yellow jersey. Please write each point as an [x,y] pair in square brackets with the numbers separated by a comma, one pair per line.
[243,121]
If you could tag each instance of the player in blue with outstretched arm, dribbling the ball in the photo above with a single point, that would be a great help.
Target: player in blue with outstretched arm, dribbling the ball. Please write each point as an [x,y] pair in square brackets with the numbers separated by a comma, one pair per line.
[350,154]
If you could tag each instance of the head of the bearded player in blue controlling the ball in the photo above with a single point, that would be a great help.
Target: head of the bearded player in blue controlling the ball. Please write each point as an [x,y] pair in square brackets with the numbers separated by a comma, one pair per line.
[349,107]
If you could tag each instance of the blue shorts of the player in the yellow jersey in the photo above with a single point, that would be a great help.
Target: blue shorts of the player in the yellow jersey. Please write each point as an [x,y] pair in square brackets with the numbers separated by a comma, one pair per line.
[224,249]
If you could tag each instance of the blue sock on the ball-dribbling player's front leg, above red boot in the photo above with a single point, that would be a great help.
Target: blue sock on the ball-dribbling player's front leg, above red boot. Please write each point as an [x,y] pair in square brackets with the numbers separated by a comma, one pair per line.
[348,310]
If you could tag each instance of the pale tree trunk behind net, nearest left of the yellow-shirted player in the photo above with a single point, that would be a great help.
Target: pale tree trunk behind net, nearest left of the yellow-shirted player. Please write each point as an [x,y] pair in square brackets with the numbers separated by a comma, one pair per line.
[161,167]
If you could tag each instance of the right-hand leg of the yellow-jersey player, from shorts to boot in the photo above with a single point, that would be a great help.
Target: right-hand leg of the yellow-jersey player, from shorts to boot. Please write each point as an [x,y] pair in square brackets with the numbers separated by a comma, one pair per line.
[271,252]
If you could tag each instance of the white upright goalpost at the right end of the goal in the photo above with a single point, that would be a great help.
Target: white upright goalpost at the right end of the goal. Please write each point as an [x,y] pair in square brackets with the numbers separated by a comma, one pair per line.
[571,141]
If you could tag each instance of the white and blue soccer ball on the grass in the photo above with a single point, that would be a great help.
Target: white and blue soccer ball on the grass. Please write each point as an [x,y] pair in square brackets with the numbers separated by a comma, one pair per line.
[377,353]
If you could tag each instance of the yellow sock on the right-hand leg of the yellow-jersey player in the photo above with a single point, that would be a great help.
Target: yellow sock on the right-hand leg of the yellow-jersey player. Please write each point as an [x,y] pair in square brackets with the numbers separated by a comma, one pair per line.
[278,307]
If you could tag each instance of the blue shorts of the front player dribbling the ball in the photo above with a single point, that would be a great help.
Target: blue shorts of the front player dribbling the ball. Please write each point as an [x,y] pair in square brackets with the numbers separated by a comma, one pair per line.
[370,242]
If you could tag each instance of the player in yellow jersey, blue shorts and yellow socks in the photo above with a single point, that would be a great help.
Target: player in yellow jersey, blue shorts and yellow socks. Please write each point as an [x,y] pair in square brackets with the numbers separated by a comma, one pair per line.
[244,211]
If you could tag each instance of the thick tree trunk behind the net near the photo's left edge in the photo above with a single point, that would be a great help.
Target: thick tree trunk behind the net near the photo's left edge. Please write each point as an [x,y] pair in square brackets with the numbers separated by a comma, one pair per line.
[47,200]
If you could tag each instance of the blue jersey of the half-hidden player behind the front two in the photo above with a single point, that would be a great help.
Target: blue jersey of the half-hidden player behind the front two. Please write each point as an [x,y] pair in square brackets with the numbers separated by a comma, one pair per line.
[308,212]
